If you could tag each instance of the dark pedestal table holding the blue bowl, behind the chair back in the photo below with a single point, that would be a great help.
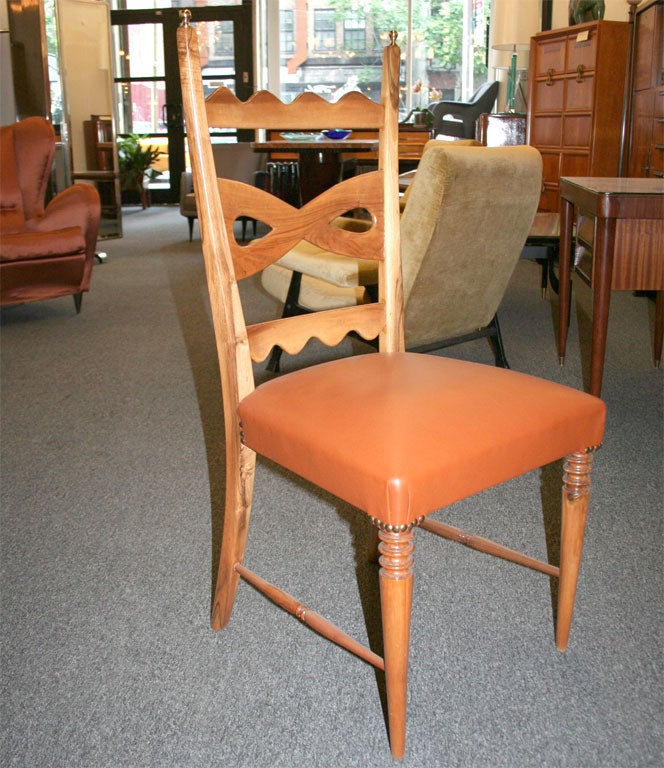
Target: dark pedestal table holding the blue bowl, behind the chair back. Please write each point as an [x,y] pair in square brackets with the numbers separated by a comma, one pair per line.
[320,160]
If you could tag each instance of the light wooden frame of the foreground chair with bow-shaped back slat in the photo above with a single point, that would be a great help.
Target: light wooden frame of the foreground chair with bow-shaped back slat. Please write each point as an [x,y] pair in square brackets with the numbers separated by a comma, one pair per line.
[238,345]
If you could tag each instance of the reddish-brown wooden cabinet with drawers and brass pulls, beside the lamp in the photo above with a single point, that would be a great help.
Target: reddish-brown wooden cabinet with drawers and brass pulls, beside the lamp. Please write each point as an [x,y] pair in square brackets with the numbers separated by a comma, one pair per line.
[575,102]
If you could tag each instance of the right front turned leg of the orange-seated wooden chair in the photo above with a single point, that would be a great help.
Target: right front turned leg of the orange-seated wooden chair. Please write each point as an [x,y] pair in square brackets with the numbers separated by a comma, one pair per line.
[576,495]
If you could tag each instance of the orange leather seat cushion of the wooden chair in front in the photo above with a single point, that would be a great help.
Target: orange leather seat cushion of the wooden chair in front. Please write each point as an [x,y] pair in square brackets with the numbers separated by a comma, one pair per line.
[401,435]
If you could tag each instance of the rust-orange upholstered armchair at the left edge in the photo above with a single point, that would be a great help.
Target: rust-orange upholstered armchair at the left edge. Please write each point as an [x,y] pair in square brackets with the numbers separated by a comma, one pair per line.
[44,252]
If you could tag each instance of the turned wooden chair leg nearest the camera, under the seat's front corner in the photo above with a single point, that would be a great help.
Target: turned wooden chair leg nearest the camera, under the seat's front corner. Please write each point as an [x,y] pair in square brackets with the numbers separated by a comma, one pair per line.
[396,592]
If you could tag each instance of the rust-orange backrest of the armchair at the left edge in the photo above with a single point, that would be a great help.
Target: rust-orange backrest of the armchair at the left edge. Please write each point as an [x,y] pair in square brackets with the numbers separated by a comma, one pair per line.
[27,149]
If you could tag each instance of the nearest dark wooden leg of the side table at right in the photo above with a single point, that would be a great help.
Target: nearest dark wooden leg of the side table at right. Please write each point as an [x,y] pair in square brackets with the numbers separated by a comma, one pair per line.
[604,242]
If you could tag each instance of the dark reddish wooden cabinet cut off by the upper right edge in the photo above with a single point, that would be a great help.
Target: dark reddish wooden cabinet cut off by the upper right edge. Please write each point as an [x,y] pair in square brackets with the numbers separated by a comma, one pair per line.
[646,151]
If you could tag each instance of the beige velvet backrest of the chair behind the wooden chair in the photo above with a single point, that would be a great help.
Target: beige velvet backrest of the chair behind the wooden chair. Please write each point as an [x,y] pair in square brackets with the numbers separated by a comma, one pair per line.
[469,212]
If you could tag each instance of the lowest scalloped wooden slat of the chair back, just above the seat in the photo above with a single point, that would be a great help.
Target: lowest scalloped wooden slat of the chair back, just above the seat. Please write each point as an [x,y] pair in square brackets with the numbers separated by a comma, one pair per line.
[329,326]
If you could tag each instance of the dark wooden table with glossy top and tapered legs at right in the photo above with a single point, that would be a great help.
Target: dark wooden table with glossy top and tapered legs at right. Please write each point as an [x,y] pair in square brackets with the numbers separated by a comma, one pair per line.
[628,252]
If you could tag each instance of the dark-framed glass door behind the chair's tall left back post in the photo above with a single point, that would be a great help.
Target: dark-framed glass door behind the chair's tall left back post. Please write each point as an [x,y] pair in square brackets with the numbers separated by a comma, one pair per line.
[147,83]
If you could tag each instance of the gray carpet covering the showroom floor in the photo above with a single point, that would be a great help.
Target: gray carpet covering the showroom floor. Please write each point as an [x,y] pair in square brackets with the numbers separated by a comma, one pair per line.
[112,505]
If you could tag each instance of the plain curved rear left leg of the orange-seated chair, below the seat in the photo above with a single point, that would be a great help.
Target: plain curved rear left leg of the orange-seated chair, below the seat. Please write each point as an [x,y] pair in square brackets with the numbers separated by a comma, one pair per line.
[240,468]
